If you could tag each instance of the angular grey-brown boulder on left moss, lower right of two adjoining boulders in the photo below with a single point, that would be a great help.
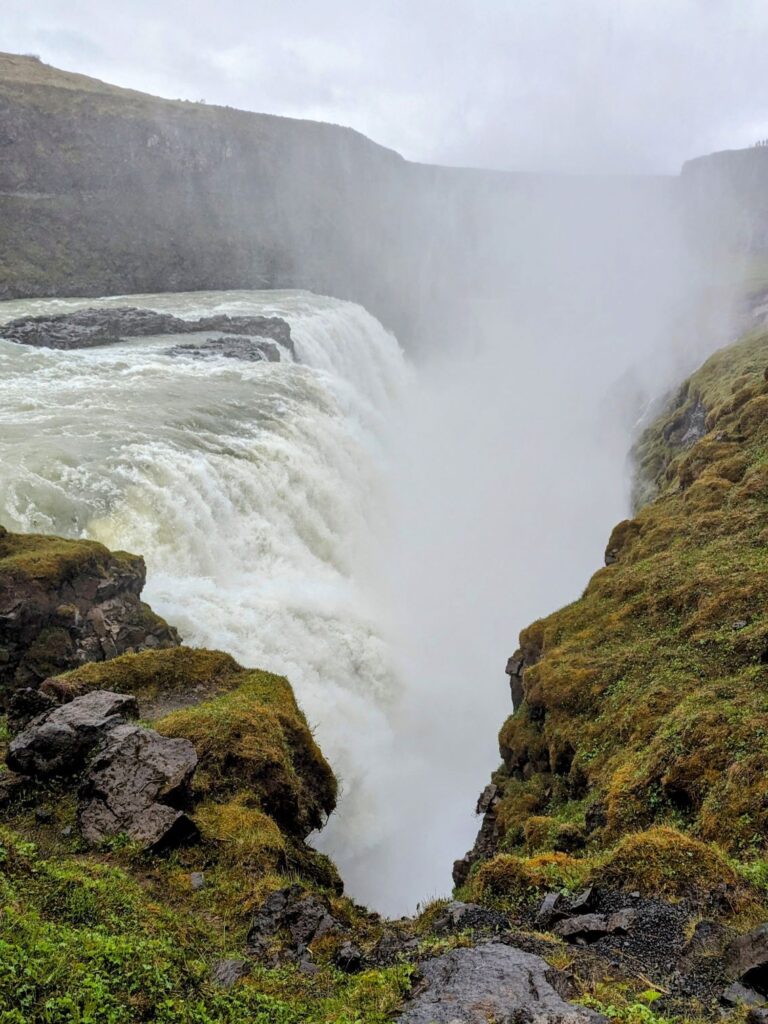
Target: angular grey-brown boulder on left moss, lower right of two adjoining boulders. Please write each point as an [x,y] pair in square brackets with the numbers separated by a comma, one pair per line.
[137,786]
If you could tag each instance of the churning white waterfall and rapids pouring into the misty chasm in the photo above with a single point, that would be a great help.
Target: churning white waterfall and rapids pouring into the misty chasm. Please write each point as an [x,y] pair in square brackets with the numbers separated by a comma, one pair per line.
[251,489]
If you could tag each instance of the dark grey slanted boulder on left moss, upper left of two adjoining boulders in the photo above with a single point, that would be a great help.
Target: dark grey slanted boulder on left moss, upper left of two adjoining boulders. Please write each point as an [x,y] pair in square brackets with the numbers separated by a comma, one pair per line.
[59,742]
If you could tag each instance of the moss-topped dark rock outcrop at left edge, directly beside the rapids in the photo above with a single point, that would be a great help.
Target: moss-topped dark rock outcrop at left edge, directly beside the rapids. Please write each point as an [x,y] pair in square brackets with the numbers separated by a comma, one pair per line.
[67,603]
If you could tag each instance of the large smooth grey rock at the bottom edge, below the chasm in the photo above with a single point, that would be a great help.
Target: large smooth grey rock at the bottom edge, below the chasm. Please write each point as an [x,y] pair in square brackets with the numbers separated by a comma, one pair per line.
[489,984]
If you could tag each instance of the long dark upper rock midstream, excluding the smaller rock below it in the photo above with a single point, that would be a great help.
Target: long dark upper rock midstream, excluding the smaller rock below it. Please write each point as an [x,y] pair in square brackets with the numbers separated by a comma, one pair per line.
[89,328]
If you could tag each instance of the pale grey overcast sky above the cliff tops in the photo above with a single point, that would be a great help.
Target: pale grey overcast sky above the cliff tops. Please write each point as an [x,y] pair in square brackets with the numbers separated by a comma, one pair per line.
[577,86]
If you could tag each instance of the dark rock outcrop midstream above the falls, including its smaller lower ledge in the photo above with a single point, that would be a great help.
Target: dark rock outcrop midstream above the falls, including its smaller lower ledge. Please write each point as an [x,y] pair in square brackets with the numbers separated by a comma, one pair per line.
[90,328]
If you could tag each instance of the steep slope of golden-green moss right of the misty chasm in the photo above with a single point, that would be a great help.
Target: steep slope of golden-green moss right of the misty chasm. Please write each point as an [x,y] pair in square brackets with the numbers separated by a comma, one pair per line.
[646,702]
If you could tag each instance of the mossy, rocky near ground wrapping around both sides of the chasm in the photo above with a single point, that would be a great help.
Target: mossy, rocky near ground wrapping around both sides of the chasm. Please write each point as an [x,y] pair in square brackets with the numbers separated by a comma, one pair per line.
[157,800]
